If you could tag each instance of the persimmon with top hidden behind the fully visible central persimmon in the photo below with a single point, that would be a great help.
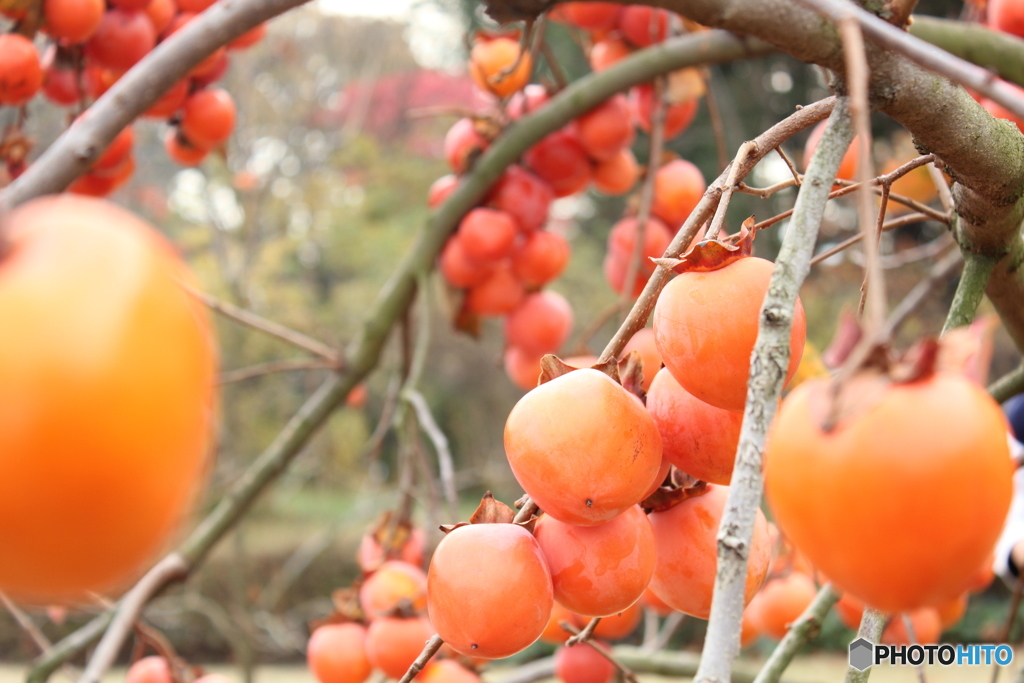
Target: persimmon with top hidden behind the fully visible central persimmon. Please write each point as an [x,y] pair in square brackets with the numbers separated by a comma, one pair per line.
[600,571]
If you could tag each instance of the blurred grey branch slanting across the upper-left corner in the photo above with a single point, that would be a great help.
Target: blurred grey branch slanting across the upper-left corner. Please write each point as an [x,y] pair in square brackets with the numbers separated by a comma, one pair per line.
[73,153]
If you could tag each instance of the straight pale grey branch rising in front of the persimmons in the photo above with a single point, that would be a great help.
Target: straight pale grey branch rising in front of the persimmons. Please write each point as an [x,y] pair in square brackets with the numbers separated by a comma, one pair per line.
[769,366]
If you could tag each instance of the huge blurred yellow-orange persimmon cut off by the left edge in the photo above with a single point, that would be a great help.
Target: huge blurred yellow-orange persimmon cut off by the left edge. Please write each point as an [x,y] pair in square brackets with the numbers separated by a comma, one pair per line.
[124,414]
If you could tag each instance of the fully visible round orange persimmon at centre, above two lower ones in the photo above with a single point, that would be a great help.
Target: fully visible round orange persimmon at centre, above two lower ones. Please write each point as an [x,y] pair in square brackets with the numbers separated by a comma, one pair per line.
[566,441]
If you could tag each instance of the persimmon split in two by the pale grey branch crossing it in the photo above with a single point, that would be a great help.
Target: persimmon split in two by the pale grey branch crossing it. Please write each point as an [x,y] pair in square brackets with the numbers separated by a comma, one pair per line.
[688,547]
